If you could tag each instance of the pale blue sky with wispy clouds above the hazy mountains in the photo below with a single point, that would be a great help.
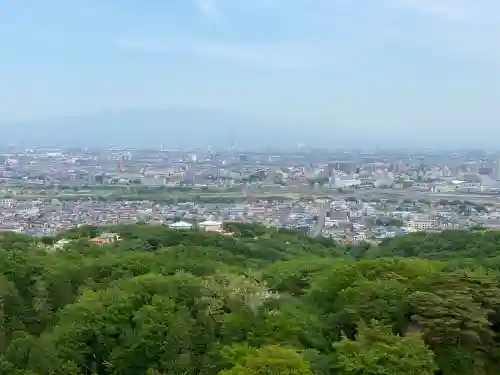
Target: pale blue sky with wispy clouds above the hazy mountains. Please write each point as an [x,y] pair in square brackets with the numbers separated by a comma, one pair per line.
[426,68]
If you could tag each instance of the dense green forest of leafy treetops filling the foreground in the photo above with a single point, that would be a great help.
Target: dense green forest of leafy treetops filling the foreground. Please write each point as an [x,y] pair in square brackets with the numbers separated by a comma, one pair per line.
[257,301]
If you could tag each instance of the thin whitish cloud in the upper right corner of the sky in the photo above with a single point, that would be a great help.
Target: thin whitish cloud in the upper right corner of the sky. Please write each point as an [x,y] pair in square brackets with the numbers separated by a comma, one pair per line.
[459,28]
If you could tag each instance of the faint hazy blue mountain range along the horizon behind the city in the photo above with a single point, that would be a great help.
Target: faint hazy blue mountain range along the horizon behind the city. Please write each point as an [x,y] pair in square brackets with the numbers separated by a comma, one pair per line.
[191,127]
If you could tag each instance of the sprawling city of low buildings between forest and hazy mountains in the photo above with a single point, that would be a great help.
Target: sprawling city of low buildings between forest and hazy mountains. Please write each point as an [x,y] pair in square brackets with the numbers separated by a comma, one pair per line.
[348,196]
